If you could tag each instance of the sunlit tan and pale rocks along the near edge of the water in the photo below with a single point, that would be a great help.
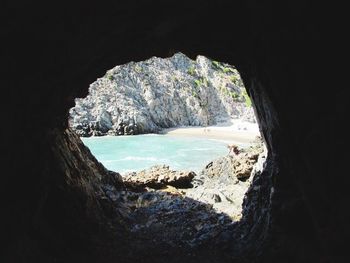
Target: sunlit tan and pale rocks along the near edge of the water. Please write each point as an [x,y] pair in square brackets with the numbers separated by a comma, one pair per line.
[222,184]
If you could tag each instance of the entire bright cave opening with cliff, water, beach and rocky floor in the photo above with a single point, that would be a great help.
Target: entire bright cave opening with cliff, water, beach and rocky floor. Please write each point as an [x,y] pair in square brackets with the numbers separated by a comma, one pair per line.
[181,137]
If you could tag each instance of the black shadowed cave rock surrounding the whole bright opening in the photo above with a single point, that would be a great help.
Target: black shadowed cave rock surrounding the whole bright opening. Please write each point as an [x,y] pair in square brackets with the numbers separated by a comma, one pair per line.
[294,211]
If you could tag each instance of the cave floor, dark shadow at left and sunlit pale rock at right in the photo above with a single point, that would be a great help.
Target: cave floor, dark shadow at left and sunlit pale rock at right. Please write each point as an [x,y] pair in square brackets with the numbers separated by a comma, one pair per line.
[166,219]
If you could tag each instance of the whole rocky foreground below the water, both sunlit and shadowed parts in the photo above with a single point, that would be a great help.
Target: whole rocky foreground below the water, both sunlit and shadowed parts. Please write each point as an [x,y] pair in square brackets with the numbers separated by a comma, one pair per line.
[169,217]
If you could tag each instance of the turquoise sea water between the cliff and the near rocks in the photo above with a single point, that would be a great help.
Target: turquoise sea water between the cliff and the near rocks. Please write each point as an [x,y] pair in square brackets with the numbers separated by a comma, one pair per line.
[133,153]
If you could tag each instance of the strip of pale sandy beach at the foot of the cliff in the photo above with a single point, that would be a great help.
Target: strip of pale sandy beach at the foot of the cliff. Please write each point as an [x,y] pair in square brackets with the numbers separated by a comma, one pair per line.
[234,131]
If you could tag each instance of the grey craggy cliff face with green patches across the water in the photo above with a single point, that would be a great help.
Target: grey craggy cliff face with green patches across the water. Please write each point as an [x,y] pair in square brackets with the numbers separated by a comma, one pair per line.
[160,93]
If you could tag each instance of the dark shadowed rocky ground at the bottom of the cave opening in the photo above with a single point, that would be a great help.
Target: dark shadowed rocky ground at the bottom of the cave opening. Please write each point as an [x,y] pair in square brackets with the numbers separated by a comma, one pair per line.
[171,218]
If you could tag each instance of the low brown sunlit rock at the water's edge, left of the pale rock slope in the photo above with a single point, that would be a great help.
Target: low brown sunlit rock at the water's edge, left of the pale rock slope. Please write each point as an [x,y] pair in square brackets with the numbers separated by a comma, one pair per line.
[159,176]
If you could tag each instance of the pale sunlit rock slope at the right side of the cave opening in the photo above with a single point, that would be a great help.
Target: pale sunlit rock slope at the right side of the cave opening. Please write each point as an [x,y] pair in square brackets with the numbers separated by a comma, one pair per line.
[224,181]
